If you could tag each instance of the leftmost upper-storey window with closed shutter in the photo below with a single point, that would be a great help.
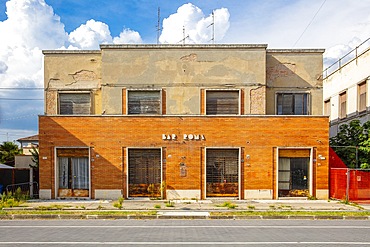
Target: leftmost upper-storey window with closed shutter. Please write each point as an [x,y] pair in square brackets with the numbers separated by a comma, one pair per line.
[74,103]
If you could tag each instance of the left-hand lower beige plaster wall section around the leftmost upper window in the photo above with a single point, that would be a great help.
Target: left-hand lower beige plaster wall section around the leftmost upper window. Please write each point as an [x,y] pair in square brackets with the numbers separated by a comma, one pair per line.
[71,71]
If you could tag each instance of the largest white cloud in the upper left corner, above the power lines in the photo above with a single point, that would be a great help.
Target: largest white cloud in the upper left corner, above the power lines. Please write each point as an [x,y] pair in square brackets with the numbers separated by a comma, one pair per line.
[30,26]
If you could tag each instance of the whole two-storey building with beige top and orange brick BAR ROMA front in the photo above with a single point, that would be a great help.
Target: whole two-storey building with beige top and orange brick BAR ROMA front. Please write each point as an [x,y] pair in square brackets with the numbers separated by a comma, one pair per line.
[183,121]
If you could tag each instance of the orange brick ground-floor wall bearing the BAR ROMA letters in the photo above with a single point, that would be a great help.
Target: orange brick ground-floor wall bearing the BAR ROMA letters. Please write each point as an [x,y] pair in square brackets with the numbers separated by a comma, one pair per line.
[109,138]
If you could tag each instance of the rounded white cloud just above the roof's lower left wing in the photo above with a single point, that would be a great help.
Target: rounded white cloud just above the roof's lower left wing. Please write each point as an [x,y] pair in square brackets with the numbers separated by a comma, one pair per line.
[90,35]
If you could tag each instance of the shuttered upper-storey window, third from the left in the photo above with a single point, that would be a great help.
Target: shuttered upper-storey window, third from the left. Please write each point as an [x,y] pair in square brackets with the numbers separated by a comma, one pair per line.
[223,102]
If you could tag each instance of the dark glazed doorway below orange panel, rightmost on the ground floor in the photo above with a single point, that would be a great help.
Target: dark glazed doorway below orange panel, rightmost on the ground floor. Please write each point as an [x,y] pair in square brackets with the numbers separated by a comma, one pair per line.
[294,177]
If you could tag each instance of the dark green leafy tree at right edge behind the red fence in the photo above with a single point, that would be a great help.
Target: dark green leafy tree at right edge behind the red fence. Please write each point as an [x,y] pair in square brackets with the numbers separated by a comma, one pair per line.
[352,144]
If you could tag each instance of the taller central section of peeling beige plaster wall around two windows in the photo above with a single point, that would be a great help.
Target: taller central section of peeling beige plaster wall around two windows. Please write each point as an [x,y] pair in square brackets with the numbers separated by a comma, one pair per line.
[183,72]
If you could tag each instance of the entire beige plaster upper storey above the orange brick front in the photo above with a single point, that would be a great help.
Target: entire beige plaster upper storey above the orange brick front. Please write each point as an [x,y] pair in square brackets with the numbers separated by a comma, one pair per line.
[266,82]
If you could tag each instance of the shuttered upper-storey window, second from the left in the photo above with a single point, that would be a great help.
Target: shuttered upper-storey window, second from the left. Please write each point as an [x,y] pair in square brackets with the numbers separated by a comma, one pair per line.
[144,102]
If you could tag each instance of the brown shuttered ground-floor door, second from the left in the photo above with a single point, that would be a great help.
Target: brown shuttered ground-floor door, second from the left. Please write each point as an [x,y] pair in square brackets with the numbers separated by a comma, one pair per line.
[144,172]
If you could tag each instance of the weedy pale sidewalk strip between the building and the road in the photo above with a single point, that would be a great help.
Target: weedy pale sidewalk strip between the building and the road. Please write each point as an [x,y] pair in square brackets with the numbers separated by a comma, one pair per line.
[188,209]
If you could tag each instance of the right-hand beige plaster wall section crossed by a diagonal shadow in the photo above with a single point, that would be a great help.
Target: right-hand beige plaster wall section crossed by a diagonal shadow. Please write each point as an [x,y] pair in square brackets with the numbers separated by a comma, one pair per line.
[294,70]
